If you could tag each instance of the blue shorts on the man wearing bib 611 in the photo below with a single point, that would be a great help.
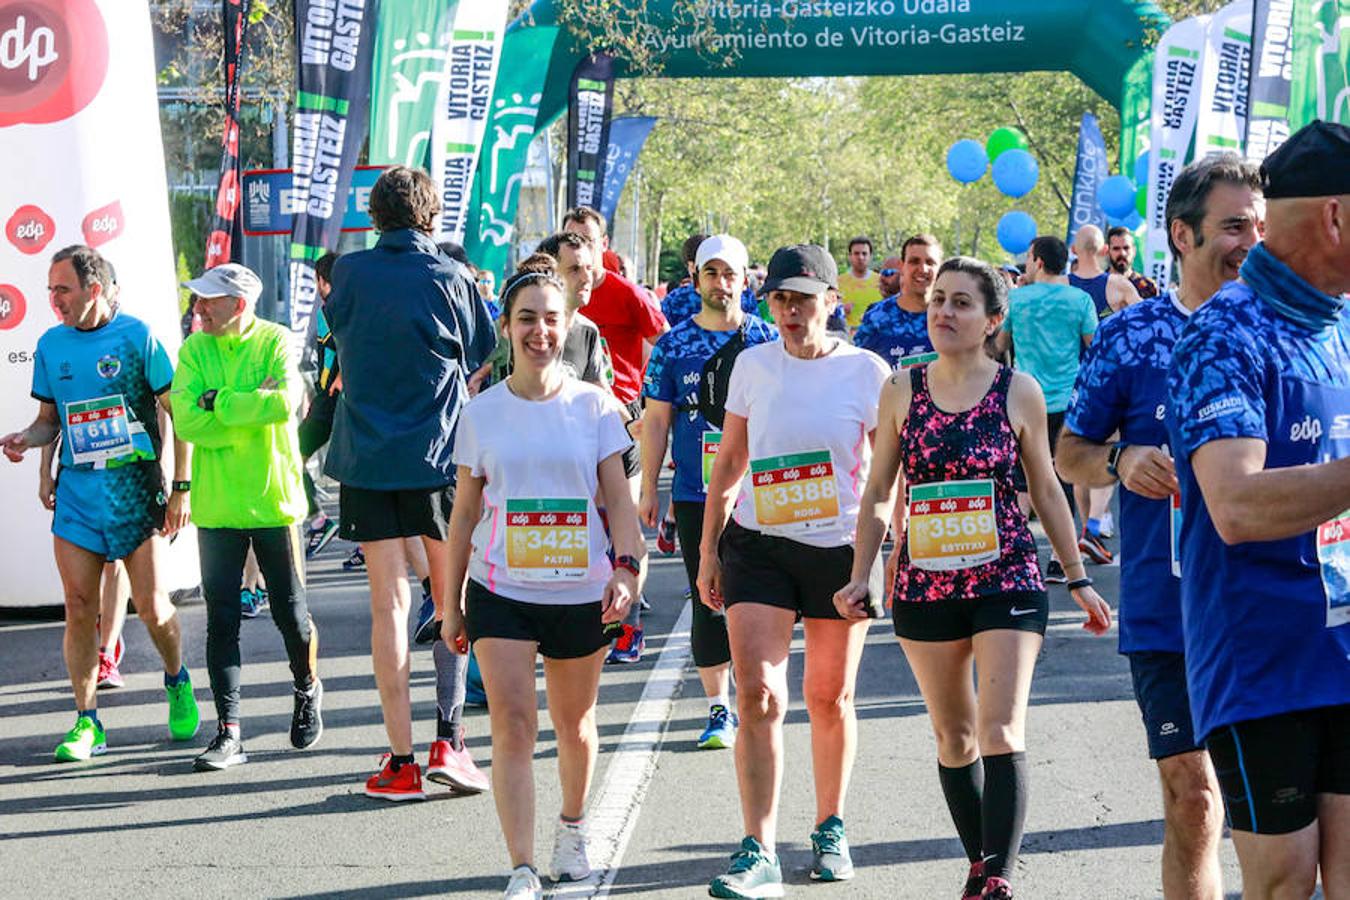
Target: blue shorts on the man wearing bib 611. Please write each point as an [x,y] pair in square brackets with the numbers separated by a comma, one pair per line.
[110,512]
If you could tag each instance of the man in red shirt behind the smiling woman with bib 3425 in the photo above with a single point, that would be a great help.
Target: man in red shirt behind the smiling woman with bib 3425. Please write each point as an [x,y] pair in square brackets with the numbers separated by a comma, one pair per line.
[627,318]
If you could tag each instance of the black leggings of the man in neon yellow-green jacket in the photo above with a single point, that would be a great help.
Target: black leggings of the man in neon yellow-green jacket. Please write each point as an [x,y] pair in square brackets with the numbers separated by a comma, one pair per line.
[280,558]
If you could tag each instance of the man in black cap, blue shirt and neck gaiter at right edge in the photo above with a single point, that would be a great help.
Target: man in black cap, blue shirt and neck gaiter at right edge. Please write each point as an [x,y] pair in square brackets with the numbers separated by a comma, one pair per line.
[1259,414]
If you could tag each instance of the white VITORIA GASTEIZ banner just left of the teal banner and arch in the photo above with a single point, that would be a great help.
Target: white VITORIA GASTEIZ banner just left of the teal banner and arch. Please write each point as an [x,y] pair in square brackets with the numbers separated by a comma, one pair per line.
[462,109]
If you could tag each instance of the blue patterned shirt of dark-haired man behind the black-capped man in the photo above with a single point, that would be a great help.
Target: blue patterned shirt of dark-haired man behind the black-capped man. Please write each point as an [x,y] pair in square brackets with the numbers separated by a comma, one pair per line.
[1123,388]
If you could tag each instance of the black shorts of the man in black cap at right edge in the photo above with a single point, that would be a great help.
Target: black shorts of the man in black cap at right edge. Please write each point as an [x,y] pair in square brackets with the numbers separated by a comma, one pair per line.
[1272,770]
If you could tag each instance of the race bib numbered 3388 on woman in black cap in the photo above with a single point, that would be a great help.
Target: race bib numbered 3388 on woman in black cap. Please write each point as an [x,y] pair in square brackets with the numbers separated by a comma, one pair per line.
[794,495]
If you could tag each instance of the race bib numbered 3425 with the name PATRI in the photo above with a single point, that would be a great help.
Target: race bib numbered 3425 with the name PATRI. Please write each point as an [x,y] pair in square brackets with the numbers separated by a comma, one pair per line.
[547,540]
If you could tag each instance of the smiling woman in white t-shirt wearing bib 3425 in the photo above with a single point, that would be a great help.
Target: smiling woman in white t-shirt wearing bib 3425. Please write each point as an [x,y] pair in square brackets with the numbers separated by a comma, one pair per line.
[529,565]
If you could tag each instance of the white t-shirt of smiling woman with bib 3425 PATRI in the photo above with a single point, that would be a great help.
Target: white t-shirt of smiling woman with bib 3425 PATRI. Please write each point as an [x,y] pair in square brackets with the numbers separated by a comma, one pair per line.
[541,539]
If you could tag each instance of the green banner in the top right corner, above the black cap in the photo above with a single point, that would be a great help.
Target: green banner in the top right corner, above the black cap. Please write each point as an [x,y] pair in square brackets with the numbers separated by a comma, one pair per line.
[1321,87]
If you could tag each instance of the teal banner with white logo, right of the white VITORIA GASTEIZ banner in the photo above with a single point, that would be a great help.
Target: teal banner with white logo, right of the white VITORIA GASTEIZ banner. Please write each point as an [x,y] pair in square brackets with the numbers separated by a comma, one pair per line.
[511,128]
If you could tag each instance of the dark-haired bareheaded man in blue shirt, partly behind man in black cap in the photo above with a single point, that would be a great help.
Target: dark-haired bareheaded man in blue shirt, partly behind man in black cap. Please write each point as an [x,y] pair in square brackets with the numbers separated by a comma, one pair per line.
[1213,217]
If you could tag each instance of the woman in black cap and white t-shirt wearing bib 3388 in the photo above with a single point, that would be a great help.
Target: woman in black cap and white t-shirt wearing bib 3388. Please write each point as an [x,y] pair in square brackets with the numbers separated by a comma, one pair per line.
[794,457]
